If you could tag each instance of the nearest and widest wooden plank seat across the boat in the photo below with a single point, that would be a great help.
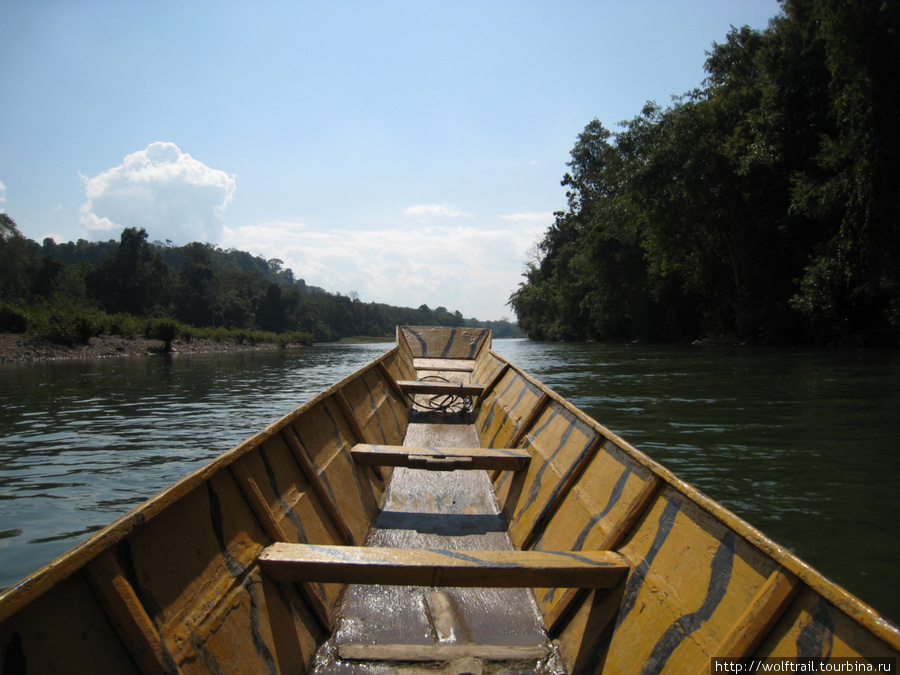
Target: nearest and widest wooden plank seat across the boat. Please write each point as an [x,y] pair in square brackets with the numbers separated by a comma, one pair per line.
[442,567]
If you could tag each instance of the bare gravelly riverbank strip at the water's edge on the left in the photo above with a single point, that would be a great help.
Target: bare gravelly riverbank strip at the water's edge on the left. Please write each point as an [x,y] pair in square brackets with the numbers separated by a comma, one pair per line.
[20,347]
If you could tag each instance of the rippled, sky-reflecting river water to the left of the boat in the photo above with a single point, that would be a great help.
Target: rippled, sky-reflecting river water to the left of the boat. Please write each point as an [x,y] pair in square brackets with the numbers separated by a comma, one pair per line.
[84,441]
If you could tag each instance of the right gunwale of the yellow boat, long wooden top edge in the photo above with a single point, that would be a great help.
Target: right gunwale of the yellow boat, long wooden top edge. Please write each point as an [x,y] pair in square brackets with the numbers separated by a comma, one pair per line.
[852,606]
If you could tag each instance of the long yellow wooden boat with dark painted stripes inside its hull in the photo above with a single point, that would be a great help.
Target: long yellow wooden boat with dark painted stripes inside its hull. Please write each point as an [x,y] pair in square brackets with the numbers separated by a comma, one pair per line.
[503,531]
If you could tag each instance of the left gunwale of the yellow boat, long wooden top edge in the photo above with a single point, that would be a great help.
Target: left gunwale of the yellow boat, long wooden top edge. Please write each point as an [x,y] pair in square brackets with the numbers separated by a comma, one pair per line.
[29,589]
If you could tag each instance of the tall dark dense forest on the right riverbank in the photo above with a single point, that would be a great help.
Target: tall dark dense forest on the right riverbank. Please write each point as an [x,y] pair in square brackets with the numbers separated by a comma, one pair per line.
[763,207]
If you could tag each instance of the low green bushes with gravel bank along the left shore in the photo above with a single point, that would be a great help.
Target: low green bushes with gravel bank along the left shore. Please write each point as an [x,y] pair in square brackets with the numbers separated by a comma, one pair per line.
[61,333]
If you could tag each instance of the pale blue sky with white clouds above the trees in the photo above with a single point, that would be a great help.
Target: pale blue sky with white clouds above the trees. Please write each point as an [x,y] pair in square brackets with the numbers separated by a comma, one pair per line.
[408,152]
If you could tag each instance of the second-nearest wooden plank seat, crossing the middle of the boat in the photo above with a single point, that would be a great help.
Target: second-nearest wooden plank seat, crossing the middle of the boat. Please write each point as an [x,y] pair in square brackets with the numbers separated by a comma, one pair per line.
[441,458]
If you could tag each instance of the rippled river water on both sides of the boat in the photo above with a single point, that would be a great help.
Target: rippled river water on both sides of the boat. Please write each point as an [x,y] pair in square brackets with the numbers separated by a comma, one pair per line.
[802,444]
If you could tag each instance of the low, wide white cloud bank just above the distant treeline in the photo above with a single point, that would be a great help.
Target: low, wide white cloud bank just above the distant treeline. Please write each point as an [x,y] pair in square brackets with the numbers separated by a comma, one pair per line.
[461,267]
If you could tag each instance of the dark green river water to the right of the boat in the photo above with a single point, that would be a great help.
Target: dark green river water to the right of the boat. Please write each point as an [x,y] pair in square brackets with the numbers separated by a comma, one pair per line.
[802,444]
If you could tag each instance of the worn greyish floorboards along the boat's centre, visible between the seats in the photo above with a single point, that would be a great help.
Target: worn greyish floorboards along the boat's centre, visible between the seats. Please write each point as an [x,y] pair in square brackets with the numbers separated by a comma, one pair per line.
[430,509]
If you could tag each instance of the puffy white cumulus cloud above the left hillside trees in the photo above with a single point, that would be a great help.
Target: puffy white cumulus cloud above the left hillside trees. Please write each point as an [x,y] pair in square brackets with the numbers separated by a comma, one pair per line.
[162,189]
